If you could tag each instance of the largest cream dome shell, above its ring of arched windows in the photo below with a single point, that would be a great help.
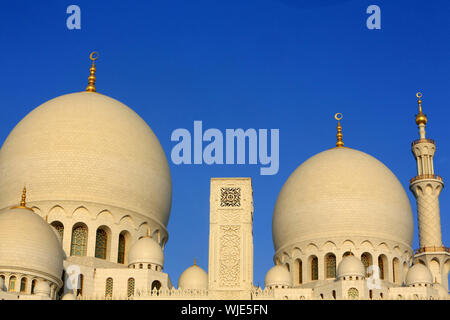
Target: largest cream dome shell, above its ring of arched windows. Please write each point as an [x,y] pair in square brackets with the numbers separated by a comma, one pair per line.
[91,148]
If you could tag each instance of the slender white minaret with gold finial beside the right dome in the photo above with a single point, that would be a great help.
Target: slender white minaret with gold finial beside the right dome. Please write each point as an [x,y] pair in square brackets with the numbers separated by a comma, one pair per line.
[426,187]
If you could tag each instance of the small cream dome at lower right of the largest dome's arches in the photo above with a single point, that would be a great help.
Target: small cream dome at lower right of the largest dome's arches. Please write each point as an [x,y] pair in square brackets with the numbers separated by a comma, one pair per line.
[146,250]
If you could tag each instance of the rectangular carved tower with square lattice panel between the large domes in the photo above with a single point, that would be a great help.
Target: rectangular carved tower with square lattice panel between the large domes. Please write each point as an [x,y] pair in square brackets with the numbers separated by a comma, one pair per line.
[230,268]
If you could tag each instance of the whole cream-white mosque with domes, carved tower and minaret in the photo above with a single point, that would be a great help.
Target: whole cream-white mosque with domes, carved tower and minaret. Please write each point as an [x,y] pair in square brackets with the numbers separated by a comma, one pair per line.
[92,220]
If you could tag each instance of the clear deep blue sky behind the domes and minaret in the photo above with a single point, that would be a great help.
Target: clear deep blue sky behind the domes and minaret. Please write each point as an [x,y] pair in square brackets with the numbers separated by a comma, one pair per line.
[287,64]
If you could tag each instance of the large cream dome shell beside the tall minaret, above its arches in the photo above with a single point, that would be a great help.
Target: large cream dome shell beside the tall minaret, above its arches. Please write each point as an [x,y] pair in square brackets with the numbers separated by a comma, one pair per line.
[342,192]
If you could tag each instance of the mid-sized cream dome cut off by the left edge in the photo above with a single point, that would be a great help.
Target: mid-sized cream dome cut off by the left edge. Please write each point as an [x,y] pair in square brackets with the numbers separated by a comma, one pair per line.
[27,242]
